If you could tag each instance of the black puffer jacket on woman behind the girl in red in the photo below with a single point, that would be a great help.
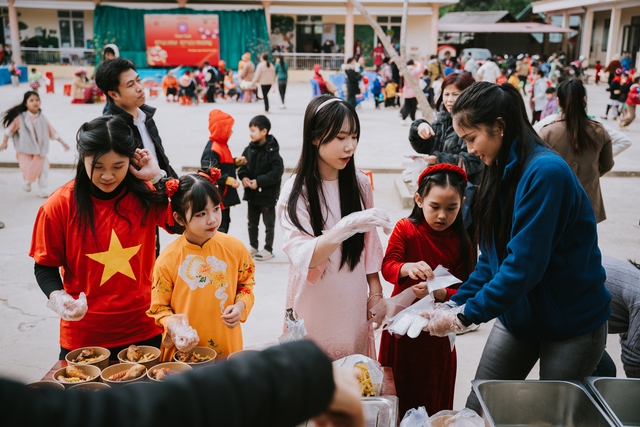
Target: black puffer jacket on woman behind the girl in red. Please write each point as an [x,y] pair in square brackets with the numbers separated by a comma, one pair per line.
[446,146]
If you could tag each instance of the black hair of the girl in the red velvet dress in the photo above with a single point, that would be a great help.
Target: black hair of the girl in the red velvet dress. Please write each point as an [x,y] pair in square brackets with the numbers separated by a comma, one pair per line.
[446,179]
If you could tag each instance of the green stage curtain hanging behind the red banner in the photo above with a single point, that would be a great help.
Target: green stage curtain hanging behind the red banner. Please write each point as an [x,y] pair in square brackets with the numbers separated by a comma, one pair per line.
[240,32]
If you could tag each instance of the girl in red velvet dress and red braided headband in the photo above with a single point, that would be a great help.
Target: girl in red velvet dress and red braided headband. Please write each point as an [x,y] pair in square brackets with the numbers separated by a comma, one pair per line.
[424,368]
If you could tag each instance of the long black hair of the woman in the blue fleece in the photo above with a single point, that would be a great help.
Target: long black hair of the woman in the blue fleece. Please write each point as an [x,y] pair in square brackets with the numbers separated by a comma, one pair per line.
[486,105]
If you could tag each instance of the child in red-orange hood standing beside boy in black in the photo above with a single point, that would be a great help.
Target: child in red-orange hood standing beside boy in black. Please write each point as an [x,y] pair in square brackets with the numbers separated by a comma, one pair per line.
[217,154]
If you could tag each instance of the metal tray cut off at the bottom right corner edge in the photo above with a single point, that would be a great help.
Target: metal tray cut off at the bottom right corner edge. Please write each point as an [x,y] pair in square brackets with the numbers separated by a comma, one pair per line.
[620,397]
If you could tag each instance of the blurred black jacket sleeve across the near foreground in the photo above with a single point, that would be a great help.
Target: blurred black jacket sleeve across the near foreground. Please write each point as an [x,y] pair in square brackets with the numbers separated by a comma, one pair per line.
[281,386]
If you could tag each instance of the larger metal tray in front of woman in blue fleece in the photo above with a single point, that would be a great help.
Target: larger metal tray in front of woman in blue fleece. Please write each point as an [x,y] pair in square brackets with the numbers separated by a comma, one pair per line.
[538,403]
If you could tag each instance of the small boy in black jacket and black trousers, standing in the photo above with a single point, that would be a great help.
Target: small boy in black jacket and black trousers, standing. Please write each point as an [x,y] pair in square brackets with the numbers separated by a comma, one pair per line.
[261,178]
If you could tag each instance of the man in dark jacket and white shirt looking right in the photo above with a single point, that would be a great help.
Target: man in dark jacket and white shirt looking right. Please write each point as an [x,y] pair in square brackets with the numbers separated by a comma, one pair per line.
[120,82]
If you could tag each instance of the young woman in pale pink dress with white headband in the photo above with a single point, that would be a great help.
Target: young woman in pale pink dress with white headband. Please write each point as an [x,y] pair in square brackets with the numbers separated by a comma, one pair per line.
[329,224]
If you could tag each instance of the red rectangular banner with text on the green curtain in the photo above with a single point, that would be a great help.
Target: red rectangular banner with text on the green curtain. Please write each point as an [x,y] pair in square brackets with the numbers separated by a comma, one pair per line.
[189,40]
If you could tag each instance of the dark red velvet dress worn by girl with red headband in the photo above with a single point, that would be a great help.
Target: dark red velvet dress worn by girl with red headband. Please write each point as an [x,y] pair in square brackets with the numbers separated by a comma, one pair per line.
[424,368]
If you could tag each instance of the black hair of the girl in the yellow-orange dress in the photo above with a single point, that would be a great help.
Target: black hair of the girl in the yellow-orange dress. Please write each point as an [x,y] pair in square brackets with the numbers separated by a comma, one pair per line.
[194,192]
